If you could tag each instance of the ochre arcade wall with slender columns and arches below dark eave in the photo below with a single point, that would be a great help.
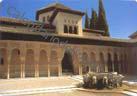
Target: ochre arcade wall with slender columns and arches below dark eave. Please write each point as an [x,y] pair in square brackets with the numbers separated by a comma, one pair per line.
[96,58]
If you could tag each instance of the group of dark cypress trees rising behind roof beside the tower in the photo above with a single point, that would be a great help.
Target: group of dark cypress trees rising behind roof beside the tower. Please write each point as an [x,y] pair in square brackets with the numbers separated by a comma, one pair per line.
[98,22]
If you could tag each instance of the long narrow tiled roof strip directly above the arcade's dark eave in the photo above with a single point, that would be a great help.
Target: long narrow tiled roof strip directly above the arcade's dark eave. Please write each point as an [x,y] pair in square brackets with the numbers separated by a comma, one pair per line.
[99,38]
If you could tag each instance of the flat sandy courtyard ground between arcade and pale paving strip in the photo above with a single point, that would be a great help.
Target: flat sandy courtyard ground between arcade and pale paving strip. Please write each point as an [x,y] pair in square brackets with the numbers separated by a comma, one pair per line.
[17,84]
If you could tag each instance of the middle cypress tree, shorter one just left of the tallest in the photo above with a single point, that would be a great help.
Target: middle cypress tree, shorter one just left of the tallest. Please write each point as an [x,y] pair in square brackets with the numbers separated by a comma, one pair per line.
[93,20]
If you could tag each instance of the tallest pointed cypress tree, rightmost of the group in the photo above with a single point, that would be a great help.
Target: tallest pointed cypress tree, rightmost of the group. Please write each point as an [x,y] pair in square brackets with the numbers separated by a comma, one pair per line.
[102,22]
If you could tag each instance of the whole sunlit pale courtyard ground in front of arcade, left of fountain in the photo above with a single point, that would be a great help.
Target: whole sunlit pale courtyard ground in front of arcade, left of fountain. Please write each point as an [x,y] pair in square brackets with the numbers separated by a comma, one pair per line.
[55,86]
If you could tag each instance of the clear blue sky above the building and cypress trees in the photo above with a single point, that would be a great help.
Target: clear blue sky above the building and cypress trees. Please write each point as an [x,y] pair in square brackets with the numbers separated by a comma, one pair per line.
[121,14]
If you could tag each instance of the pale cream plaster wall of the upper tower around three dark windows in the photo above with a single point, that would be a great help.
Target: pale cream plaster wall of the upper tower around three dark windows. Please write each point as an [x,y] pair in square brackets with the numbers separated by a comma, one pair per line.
[71,19]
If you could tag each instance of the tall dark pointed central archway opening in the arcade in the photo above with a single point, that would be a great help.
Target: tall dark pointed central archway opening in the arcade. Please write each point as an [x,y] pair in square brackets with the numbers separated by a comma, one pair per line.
[67,63]
